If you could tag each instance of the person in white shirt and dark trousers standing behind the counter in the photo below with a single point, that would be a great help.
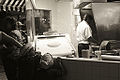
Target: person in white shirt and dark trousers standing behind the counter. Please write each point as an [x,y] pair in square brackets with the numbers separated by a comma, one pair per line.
[84,34]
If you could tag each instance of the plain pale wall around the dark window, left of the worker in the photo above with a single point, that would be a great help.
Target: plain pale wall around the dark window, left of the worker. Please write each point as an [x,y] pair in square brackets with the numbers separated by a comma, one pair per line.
[62,18]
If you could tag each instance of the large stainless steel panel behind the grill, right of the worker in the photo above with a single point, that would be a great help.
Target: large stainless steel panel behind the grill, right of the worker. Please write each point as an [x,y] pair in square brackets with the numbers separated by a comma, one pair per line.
[107,19]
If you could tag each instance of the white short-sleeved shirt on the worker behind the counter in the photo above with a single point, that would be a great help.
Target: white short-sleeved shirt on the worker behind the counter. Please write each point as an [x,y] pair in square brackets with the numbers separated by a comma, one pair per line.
[83,32]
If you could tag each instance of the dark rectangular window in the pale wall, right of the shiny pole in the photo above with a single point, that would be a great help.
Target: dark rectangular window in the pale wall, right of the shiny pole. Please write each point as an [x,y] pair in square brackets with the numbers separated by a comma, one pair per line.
[42,21]
